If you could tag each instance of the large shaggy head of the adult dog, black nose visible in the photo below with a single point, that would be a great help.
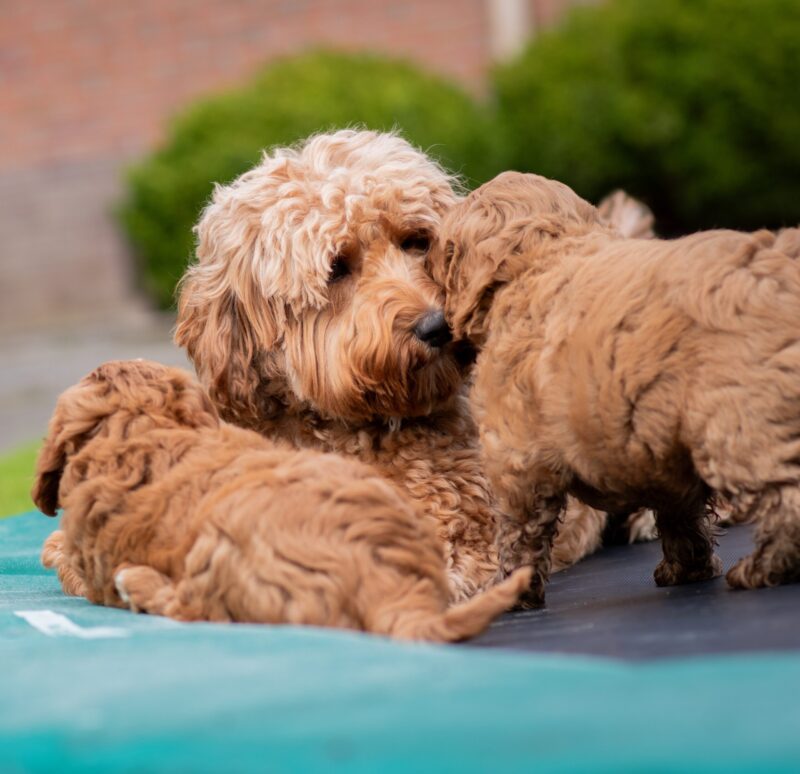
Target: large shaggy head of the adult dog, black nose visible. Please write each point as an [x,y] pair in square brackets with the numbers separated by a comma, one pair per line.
[310,288]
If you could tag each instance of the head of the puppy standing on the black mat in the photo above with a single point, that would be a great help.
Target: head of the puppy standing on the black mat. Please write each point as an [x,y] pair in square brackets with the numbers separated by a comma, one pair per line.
[494,235]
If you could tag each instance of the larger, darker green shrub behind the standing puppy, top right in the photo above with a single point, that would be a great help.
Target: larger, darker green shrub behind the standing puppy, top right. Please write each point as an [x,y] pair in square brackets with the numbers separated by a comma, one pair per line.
[693,105]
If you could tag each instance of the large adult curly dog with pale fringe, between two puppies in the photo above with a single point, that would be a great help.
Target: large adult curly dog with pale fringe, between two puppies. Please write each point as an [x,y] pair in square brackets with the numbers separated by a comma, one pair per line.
[310,317]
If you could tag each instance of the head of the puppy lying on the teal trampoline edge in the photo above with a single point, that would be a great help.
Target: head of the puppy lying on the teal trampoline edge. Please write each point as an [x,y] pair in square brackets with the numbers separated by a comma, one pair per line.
[119,399]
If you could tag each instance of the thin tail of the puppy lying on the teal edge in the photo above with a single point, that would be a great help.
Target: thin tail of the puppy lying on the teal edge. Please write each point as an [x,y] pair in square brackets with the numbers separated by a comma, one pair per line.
[467,618]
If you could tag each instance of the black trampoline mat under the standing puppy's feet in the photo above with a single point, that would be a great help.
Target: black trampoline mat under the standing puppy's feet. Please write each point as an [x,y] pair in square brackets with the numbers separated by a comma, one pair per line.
[609,605]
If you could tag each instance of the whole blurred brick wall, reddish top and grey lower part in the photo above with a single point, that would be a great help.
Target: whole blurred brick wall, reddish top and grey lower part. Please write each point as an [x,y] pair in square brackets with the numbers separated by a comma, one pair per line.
[86,85]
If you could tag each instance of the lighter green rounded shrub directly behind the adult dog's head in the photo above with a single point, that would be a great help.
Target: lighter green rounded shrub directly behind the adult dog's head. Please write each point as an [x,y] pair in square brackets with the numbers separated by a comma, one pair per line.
[220,137]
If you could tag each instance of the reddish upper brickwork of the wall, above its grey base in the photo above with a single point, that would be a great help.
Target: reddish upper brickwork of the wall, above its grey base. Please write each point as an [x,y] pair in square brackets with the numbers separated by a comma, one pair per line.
[83,78]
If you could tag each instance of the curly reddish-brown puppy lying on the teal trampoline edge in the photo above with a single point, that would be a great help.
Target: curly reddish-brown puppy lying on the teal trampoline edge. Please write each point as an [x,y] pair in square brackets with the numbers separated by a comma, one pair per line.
[169,511]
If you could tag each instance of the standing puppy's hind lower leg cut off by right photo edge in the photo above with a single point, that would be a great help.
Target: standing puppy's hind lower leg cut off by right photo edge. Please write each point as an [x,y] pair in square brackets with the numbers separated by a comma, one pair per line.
[776,558]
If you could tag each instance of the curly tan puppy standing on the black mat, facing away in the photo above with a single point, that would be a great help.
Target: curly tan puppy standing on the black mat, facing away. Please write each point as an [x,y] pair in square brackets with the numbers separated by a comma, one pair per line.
[629,373]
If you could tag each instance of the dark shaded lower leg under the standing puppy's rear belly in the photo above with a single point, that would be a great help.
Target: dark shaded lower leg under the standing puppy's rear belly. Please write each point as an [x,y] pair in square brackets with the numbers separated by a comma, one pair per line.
[687,540]
